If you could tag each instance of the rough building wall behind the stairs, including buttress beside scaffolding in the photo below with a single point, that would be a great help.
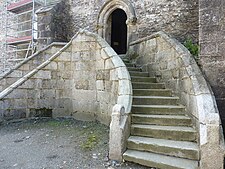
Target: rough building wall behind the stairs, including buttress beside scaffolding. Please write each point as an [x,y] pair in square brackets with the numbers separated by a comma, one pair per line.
[179,18]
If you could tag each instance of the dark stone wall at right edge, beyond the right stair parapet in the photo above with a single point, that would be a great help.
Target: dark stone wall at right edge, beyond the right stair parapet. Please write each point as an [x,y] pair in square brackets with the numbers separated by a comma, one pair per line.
[212,48]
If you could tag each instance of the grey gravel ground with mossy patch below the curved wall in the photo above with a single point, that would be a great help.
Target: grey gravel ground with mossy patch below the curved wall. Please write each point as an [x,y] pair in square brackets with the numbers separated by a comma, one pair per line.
[56,144]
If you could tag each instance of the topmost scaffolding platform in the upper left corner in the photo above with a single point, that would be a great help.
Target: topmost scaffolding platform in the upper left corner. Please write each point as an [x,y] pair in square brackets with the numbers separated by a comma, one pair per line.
[20,6]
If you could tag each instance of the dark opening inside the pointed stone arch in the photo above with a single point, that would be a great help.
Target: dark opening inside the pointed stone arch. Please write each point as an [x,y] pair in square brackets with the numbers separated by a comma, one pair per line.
[119,31]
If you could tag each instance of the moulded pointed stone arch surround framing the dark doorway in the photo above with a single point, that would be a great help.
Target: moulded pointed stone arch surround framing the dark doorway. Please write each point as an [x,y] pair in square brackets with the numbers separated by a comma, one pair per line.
[106,11]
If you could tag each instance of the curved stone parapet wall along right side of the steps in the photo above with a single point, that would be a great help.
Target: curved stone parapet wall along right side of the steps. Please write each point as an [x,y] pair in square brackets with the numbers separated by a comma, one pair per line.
[172,63]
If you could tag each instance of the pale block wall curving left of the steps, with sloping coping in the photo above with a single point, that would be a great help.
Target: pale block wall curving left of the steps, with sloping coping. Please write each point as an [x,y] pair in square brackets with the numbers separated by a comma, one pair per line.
[85,79]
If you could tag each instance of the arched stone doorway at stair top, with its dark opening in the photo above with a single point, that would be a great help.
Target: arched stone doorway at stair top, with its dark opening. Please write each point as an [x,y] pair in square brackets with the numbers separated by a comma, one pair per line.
[110,10]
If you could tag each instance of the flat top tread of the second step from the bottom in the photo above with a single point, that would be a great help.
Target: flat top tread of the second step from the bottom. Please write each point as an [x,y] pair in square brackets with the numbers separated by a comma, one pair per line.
[165,143]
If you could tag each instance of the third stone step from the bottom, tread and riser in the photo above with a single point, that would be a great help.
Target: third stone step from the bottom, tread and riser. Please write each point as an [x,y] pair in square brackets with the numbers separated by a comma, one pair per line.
[164,132]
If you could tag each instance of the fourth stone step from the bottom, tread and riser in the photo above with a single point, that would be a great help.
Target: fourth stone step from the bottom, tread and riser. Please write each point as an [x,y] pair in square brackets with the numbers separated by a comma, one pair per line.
[163,120]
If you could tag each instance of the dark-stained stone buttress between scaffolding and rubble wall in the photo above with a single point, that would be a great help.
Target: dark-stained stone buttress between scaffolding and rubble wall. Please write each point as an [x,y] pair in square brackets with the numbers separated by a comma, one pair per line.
[53,27]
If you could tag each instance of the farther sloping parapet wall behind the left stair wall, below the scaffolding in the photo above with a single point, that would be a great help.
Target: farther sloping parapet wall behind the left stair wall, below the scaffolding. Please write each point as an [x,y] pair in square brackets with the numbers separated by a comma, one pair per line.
[28,64]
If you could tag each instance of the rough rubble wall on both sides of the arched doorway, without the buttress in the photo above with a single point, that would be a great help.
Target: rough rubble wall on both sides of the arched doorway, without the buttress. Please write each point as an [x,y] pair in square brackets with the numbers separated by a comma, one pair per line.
[179,18]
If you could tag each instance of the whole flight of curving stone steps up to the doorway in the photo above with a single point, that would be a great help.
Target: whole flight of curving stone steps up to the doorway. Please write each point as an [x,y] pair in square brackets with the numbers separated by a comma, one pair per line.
[162,135]
